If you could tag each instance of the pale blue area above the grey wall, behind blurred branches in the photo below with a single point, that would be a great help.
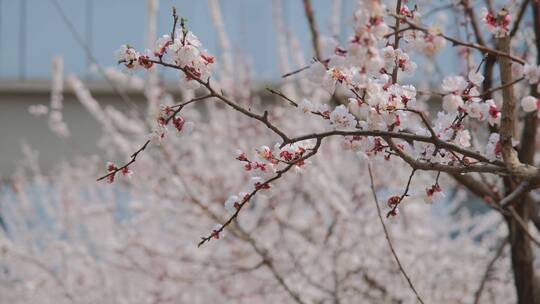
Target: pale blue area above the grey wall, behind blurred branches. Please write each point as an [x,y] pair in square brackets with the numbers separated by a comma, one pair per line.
[114,22]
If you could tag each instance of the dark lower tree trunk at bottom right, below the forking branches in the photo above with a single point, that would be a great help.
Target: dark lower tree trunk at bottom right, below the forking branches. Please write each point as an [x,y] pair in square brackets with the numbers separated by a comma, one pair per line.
[522,257]
